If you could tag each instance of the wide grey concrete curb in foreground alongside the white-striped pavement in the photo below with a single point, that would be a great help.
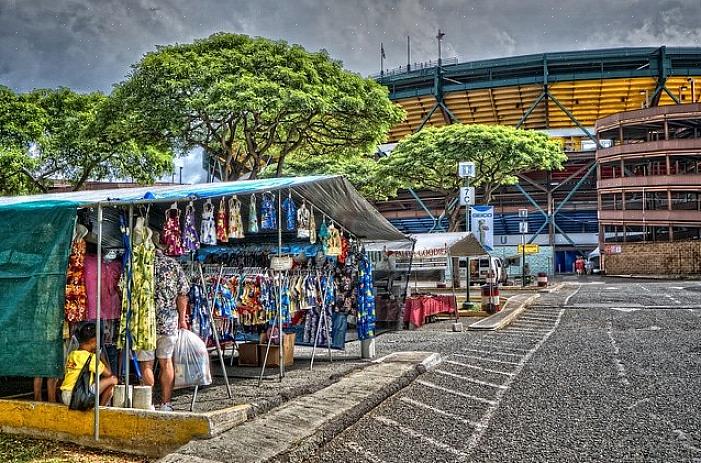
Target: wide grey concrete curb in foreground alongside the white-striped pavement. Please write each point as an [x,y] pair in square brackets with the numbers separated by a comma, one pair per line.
[317,418]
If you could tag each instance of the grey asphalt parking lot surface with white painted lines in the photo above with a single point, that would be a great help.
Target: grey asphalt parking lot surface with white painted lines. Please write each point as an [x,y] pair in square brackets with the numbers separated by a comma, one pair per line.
[604,378]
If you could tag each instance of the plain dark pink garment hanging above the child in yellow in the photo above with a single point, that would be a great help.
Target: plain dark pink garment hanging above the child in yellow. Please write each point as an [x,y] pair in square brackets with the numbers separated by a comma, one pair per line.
[111,300]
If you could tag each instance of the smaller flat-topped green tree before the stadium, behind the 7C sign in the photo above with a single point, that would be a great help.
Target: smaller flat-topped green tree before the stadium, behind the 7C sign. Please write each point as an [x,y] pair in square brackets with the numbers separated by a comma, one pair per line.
[428,160]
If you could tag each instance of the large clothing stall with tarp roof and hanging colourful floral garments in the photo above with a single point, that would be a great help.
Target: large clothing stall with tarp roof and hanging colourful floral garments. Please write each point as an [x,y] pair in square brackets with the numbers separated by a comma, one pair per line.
[264,257]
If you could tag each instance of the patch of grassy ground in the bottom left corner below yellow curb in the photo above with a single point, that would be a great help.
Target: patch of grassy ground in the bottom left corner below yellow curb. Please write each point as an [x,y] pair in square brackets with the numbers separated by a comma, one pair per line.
[18,449]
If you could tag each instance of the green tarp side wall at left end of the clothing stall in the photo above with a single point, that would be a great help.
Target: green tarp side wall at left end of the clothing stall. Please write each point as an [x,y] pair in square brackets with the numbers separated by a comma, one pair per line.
[34,248]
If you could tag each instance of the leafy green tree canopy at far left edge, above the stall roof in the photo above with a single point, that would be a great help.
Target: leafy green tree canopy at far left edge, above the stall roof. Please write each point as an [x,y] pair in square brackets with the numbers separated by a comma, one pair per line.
[49,135]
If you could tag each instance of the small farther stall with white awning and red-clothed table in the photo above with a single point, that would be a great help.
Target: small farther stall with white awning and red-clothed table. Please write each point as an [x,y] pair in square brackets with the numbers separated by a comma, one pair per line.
[428,252]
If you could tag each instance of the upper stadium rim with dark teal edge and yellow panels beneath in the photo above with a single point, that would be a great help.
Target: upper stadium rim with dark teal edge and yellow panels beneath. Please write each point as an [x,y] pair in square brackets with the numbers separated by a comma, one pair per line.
[538,91]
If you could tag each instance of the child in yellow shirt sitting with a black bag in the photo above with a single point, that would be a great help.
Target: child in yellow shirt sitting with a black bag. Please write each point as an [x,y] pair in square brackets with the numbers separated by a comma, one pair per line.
[76,361]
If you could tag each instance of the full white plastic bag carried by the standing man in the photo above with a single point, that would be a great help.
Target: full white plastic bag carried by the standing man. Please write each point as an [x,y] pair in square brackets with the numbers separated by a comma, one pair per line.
[191,360]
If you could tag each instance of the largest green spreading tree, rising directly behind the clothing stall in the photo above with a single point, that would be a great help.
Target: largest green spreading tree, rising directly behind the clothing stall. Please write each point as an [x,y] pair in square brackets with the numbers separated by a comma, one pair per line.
[251,102]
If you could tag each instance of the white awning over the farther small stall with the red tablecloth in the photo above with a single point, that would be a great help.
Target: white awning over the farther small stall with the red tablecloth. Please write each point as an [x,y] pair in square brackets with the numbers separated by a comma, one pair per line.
[458,244]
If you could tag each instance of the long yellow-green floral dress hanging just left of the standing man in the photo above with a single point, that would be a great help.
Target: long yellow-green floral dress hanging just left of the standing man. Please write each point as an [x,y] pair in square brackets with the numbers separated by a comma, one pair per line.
[142,325]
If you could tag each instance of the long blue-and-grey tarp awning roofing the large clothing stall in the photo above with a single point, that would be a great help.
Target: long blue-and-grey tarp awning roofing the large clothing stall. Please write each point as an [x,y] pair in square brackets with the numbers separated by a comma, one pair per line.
[333,195]
